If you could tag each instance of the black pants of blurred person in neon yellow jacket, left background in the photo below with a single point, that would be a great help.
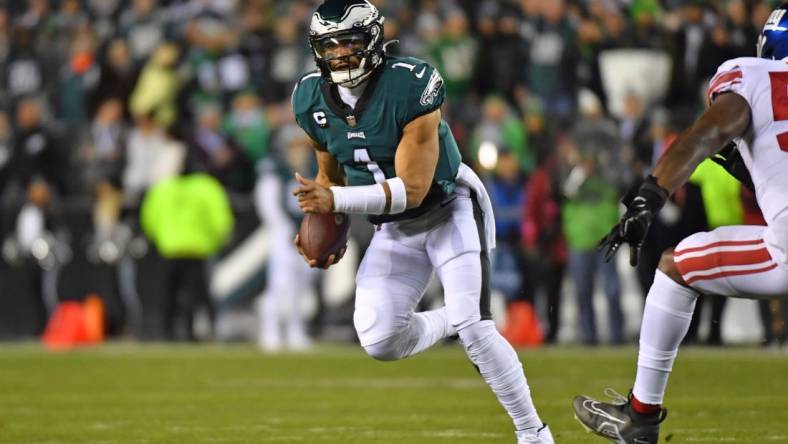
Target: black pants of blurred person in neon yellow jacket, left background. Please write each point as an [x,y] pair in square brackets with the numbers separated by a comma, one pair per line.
[186,290]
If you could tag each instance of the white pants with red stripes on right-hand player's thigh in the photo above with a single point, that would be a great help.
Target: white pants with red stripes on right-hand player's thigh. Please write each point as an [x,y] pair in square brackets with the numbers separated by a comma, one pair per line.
[731,261]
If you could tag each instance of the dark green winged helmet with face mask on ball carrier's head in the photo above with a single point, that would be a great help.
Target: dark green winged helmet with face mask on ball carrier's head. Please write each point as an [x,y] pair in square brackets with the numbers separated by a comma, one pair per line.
[346,37]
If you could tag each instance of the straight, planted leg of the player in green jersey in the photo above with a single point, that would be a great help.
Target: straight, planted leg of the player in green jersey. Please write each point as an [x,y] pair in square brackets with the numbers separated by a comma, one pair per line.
[457,248]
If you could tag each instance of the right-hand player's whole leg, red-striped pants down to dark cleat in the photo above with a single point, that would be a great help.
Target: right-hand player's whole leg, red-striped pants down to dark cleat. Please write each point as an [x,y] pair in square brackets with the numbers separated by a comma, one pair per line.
[729,261]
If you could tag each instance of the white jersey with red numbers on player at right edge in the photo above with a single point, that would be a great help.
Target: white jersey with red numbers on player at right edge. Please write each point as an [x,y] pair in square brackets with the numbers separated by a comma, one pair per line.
[764,85]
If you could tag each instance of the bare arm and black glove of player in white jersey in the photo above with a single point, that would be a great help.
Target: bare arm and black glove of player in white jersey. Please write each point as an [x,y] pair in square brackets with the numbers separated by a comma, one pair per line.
[727,118]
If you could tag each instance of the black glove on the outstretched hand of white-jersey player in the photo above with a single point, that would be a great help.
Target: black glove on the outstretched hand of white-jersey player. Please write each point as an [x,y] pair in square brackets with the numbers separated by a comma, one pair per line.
[634,224]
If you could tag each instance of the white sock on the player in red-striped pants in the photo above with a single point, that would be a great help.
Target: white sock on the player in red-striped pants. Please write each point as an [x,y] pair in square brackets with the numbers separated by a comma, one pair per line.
[666,319]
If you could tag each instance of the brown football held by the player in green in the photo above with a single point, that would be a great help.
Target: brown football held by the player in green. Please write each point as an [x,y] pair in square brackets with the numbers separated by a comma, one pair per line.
[322,235]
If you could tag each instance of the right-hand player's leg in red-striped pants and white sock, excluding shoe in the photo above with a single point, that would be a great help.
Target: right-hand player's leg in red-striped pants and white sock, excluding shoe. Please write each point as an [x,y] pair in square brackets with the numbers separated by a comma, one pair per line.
[729,261]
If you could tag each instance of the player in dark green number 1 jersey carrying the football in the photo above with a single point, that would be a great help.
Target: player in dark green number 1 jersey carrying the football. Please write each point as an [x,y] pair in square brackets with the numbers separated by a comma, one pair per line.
[383,150]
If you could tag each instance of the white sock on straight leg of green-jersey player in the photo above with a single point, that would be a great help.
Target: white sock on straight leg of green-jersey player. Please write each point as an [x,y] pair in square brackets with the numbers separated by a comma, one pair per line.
[501,369]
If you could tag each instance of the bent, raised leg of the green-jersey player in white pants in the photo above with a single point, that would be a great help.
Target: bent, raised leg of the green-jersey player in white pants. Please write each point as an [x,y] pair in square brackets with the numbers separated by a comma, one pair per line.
[390,282]
